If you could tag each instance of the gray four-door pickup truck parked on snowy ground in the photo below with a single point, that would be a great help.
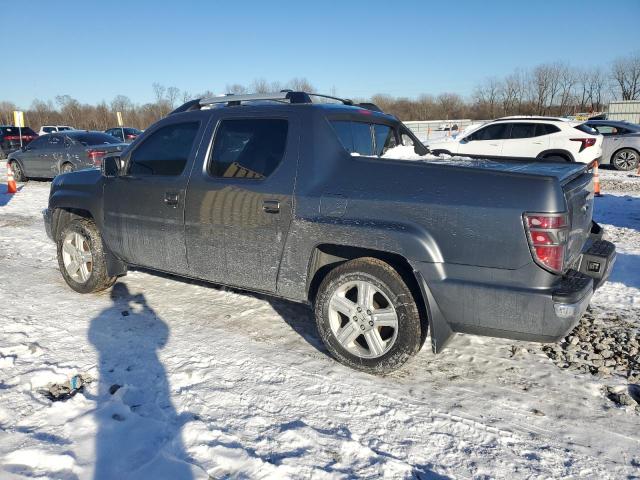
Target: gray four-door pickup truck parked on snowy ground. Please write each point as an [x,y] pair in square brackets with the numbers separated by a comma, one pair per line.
[292,198]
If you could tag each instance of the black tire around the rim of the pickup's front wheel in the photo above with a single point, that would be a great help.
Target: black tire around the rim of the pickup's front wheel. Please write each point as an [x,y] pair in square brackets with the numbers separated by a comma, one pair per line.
[98,279]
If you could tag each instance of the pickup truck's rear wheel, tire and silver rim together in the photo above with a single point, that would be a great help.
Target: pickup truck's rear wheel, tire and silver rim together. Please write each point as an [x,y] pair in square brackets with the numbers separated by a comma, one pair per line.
[367,316]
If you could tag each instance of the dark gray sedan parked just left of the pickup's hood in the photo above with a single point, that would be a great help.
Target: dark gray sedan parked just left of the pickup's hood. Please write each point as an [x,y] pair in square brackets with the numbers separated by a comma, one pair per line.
[64,152]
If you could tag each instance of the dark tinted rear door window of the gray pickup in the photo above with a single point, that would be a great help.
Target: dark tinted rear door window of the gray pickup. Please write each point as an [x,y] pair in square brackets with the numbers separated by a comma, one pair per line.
[248,148]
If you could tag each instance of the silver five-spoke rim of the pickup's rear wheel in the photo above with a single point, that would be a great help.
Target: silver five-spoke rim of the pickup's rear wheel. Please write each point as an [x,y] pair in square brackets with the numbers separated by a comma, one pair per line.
[362,319]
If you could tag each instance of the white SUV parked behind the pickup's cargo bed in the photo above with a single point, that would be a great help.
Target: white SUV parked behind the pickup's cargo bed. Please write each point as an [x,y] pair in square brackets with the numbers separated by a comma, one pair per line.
[527,137]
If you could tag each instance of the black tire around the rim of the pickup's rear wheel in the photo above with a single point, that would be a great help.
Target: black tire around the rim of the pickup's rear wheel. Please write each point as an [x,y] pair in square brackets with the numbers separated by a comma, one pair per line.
[382,276]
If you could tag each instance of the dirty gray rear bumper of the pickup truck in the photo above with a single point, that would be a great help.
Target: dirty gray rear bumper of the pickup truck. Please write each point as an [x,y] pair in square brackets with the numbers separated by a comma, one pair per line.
[496,304]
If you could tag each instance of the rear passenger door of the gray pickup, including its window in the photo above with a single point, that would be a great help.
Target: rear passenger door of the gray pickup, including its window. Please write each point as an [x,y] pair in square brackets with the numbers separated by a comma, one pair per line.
[239,204]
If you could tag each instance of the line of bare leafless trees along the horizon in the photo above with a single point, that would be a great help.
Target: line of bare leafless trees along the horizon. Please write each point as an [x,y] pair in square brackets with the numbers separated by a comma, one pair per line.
[547,89]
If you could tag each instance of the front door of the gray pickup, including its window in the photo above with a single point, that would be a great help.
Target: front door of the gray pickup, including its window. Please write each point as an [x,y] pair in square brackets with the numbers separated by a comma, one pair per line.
[144,206]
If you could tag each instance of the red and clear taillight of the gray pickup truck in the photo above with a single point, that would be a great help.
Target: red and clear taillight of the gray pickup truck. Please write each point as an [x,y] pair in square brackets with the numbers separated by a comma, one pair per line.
[547,235]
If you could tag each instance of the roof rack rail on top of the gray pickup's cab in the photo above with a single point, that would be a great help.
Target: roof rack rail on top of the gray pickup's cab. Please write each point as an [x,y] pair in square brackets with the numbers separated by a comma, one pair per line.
[281,96]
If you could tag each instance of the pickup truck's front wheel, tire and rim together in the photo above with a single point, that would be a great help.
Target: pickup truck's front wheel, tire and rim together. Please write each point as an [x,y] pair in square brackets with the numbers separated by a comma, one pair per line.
[81,257]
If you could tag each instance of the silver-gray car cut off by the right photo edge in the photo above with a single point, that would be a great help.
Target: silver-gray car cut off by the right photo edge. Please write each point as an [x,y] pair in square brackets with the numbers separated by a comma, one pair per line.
[621,145]
